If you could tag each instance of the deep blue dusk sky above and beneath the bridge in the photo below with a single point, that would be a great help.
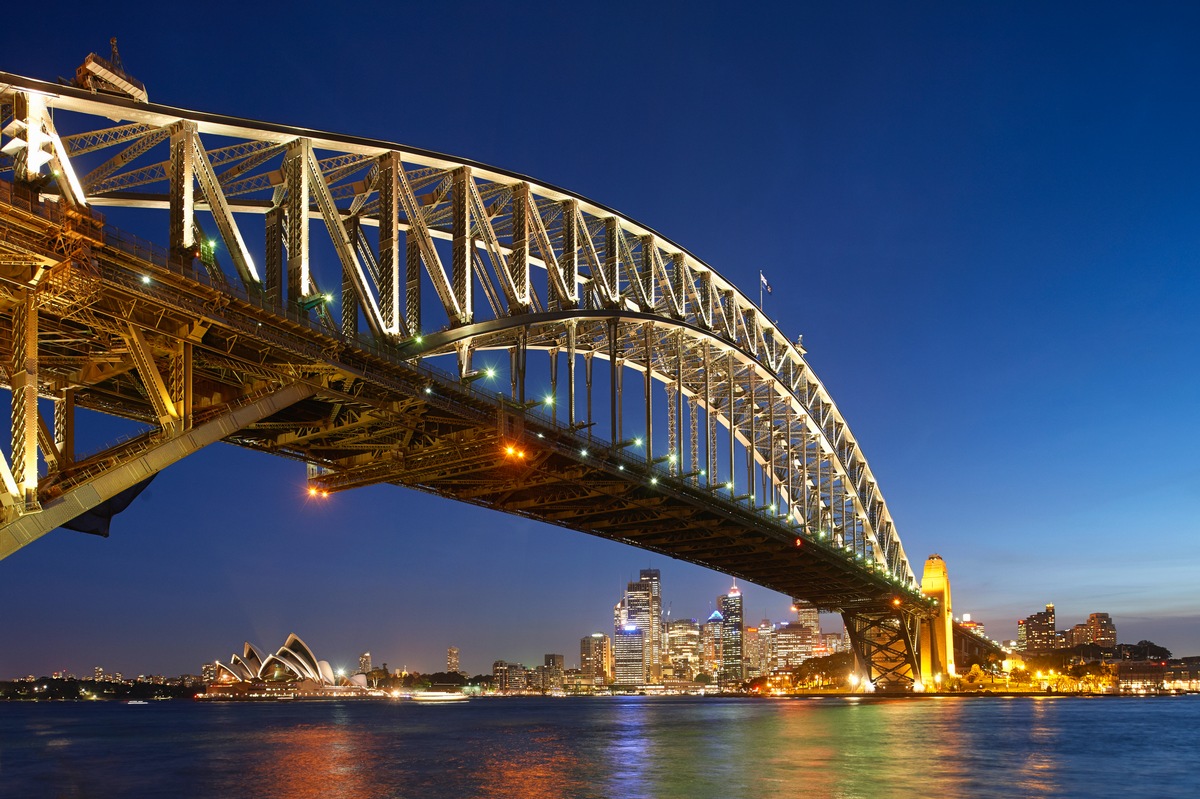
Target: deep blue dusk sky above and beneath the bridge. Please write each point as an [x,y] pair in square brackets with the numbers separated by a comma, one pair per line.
[983,220]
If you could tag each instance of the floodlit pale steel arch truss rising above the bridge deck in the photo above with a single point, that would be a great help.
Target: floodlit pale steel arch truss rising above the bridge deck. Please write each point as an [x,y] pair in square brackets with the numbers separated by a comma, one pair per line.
[466,259]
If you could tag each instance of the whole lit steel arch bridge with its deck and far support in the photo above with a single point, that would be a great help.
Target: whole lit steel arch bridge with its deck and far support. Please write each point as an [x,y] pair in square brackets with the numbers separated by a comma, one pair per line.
[387,315]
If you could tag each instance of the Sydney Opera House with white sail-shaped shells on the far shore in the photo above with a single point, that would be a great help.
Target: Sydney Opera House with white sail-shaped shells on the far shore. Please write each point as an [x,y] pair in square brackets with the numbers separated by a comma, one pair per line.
[291,674]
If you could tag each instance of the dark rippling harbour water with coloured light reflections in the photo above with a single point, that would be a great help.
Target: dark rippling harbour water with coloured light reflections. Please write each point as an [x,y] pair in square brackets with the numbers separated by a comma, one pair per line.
[833,748]
